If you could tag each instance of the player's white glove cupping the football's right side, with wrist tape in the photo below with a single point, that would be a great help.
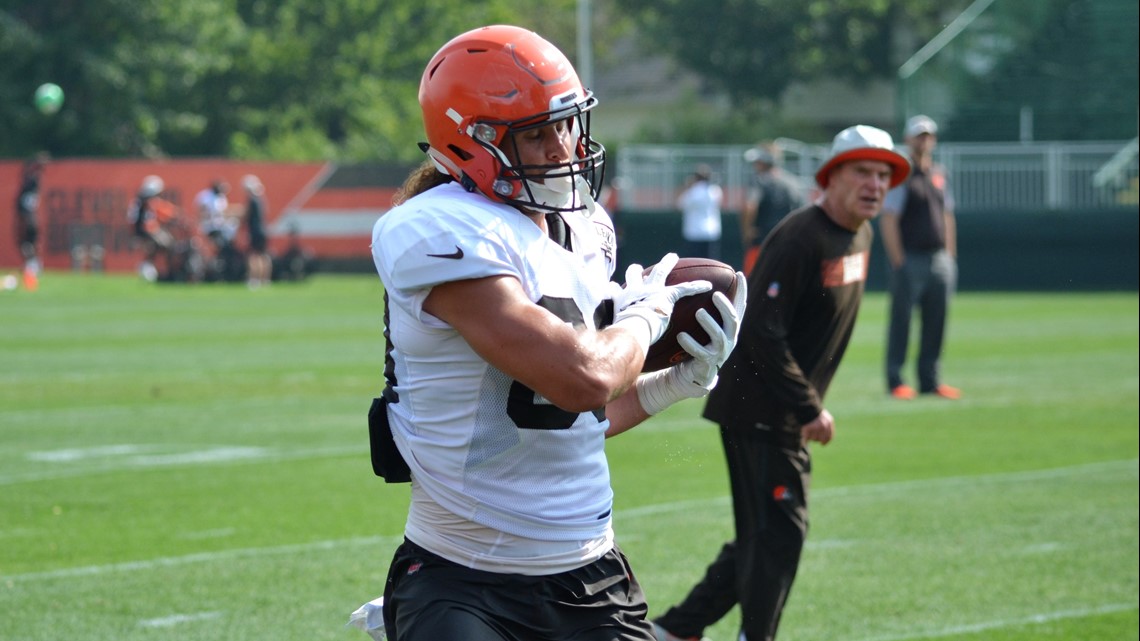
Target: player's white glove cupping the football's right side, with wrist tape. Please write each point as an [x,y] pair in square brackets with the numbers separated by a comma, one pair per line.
[694,379]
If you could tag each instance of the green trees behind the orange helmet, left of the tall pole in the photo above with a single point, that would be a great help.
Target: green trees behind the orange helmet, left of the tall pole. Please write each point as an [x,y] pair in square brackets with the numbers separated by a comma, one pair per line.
[283,80]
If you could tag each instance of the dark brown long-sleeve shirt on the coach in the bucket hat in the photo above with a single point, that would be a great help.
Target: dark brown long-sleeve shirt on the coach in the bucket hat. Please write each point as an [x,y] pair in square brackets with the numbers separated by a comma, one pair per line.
[804,296]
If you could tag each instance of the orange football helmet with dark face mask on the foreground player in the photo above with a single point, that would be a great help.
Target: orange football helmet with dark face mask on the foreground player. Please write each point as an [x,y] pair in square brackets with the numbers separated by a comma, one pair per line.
[491,84]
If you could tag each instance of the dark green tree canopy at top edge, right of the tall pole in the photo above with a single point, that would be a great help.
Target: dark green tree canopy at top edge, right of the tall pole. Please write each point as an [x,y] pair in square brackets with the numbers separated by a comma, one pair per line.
[754,50]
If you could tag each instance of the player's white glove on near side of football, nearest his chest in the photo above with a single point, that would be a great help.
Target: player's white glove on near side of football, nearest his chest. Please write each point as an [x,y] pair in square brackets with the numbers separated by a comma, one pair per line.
[646,304]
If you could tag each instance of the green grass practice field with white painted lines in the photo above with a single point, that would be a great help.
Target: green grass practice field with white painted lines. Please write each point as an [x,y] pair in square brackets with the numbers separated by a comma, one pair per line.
[191,464]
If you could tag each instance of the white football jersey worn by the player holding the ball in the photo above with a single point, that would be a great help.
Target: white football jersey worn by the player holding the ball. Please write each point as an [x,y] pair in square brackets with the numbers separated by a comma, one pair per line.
[481,447]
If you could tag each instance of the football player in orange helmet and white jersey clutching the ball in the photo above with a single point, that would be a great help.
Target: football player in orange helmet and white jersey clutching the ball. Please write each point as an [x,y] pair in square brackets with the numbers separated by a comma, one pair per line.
[499,418]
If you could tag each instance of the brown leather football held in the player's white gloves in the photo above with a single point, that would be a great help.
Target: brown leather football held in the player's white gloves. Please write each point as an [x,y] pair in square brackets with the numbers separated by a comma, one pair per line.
[667,352]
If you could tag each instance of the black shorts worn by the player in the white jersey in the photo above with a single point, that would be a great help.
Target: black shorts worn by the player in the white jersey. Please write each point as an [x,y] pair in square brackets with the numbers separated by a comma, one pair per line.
[429,598]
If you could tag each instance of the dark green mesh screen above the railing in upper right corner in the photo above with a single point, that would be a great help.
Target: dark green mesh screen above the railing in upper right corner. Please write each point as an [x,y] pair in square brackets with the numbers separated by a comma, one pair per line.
[1074,68]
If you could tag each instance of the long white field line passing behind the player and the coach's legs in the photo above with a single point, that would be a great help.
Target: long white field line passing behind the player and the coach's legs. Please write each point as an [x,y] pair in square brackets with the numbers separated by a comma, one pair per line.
[632,514]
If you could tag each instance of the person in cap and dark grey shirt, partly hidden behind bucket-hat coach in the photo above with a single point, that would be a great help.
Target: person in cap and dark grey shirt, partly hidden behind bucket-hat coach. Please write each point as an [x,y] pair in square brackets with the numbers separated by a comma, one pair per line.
[772,197]
